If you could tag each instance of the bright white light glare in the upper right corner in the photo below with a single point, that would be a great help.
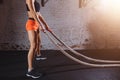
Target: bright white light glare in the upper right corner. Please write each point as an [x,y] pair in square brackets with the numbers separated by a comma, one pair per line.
[111,9]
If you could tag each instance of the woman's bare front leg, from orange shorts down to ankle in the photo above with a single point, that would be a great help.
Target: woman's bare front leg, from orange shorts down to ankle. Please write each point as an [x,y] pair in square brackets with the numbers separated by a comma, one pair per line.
[31,53]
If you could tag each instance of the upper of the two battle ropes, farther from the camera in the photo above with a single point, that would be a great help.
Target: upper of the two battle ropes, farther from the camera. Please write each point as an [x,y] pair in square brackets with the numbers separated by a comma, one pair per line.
[79,54]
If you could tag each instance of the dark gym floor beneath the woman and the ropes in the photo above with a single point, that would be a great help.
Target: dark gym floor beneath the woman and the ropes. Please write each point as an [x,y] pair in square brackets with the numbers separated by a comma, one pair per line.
[13,66]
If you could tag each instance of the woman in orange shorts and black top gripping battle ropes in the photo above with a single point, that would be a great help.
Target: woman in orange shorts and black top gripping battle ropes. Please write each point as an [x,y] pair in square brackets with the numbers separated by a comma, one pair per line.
[33,26]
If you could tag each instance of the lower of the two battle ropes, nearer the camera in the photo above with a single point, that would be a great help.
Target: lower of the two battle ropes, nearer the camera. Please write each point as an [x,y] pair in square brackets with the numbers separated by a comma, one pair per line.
[77,60]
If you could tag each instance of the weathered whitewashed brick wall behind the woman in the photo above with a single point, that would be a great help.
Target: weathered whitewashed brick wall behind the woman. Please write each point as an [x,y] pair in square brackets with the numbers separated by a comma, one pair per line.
[80,28]
